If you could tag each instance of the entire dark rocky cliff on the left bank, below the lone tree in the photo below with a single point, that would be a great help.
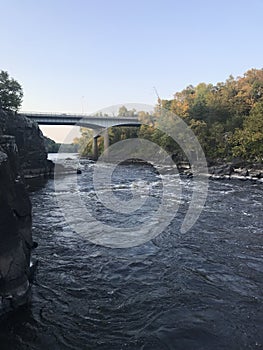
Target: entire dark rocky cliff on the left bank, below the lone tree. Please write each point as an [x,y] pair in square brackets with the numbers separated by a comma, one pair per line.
[22,154]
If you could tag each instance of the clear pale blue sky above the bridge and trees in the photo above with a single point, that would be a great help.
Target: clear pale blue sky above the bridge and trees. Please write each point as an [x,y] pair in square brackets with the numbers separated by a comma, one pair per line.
[83,55]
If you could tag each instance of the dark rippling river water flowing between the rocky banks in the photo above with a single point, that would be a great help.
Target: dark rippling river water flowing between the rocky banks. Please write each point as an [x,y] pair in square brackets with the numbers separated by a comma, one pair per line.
[199,290]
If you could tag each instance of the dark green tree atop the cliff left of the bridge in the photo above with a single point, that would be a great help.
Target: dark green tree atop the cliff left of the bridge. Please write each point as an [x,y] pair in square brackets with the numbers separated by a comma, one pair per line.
[11,93]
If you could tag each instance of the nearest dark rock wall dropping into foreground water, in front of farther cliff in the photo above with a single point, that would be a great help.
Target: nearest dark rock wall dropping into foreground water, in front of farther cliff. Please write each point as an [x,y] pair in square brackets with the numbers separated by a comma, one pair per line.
[15,229]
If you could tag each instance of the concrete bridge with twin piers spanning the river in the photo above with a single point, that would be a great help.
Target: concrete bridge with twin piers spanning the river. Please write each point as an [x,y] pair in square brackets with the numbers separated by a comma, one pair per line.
[99,124]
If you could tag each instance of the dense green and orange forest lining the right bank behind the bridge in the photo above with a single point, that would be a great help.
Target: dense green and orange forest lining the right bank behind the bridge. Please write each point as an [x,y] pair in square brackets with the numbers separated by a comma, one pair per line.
[227,119]
